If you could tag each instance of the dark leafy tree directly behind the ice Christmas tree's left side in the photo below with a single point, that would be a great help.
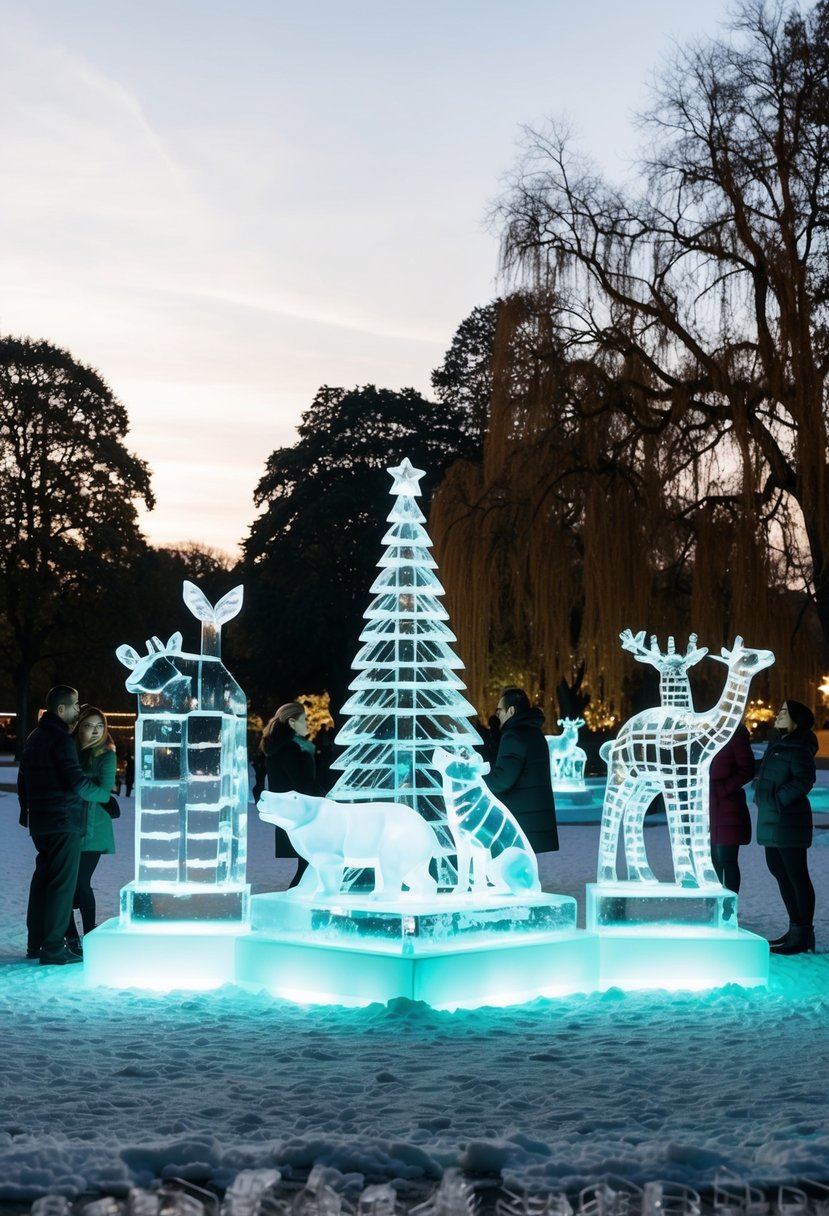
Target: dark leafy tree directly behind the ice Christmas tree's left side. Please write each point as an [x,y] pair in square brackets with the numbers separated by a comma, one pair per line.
[309,561]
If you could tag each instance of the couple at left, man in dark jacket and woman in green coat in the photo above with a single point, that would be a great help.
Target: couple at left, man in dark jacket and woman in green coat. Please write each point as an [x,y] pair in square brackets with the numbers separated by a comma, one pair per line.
[64,785]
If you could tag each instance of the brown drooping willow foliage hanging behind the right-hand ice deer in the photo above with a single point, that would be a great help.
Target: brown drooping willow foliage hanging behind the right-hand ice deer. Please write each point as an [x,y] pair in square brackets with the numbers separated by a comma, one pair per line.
[586,516]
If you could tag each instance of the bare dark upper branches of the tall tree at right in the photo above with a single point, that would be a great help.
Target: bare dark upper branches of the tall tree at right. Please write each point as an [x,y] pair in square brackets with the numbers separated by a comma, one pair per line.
[704,300]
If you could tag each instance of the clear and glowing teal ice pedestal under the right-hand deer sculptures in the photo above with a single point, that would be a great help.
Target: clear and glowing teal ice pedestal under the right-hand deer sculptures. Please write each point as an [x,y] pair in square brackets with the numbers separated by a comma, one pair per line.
[658,936]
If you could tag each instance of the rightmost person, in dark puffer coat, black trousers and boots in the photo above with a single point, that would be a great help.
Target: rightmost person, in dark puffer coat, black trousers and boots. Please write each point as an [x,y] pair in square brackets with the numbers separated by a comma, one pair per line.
[785,821]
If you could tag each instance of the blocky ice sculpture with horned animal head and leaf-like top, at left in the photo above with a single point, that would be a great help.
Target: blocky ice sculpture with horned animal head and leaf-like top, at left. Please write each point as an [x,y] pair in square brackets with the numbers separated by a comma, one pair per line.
[191,761]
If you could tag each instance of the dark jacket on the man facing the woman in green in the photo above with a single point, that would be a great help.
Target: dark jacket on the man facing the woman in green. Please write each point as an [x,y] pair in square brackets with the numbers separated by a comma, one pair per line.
[52,786]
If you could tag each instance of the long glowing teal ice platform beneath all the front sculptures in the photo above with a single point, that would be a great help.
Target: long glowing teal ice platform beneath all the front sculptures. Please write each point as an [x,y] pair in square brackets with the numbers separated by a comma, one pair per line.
[452,954]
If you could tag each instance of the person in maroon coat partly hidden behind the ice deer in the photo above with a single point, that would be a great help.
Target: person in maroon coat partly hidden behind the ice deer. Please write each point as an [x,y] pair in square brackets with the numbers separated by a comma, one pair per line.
[729,810]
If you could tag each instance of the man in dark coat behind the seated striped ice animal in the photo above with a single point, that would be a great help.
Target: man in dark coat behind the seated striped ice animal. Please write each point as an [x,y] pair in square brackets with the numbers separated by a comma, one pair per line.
[521,775]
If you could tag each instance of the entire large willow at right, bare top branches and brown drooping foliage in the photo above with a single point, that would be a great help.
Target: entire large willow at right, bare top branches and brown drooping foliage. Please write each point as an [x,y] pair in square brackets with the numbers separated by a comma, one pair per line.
[668,437]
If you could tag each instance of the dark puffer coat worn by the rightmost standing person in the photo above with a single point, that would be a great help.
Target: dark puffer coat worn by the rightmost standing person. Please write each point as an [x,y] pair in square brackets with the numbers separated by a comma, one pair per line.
[785,779]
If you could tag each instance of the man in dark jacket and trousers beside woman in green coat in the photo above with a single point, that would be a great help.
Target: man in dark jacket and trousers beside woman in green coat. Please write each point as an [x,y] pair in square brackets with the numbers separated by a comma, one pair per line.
[53,793]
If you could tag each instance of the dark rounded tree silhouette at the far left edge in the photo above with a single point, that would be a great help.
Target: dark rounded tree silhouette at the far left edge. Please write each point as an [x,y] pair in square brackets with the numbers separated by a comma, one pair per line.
[69,487]
